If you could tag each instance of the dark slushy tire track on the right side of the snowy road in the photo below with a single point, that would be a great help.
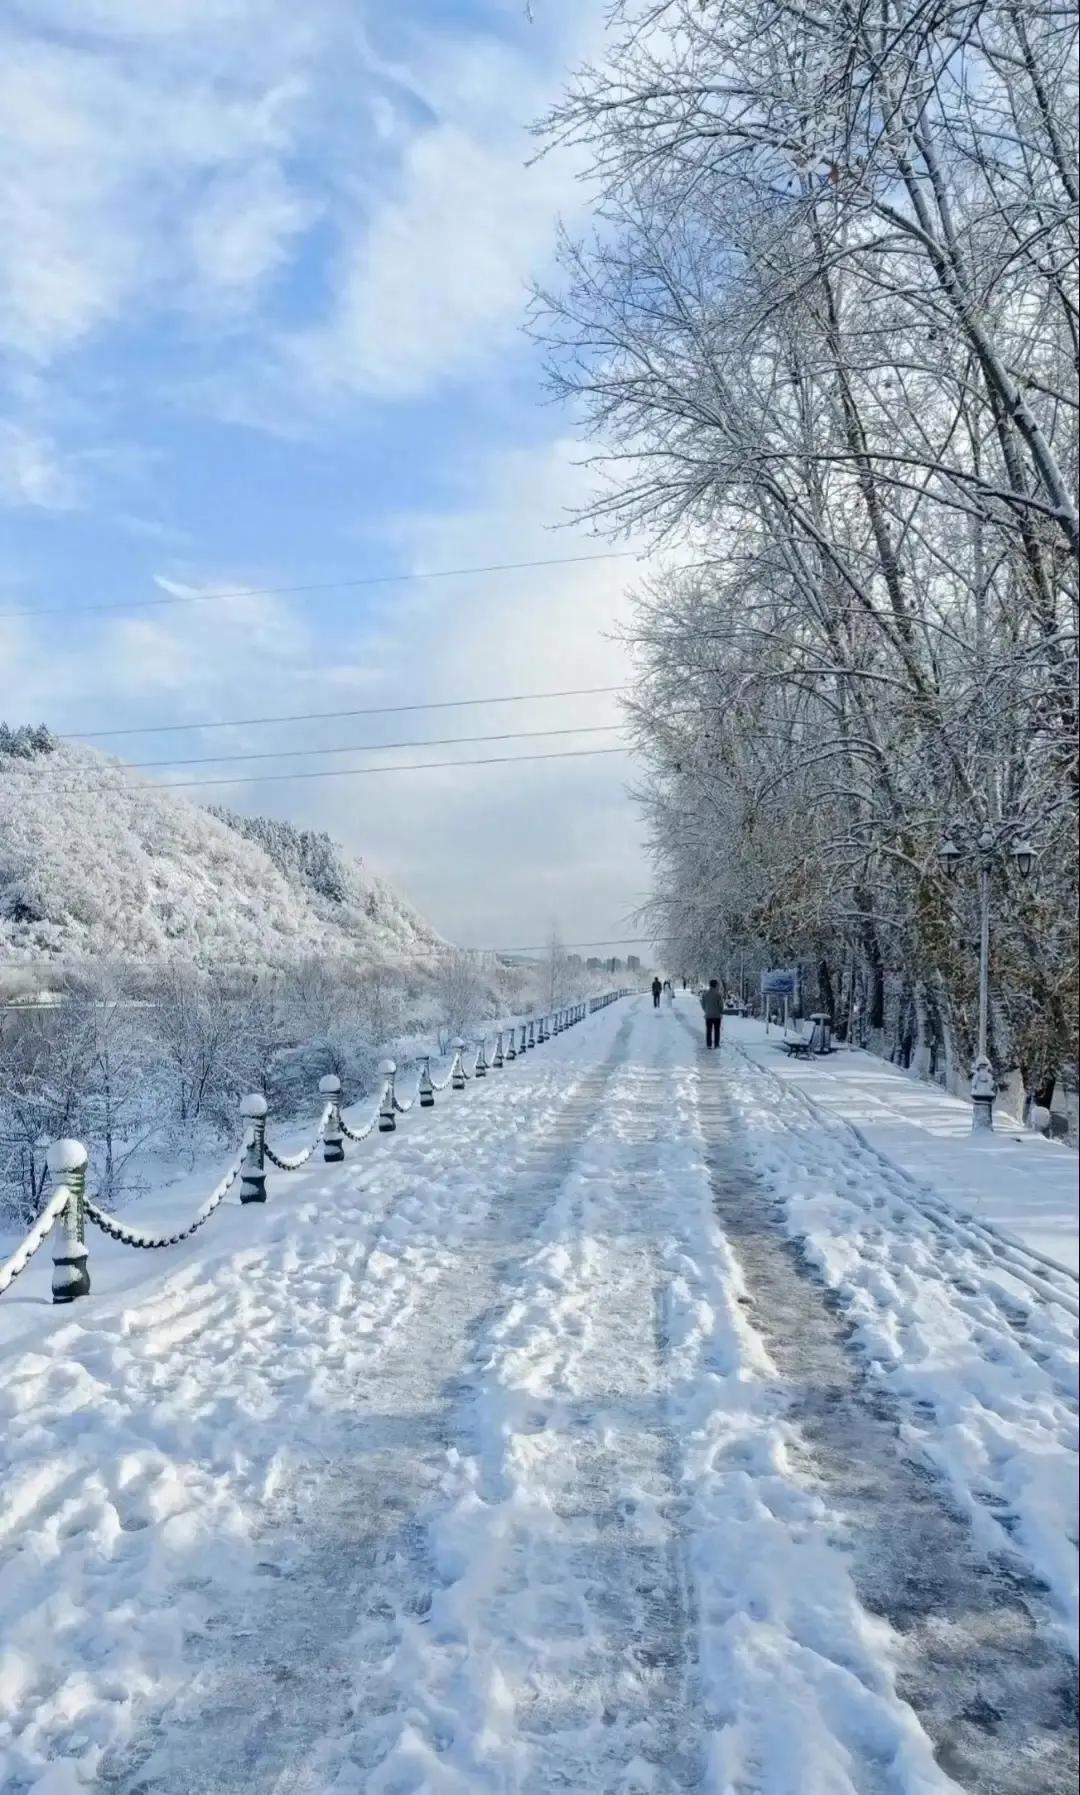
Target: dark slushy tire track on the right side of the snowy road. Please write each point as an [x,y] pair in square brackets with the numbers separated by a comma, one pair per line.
[995,1695]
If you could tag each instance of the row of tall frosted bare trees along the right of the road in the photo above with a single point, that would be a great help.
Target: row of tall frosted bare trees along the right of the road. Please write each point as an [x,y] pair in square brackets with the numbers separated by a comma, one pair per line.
[828,335]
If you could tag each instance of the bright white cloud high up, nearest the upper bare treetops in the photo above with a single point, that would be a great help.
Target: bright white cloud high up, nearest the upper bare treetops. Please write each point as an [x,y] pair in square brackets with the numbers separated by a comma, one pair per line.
[433,279]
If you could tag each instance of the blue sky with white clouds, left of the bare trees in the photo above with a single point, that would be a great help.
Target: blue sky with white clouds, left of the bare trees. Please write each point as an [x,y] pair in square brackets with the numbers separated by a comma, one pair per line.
[263,279]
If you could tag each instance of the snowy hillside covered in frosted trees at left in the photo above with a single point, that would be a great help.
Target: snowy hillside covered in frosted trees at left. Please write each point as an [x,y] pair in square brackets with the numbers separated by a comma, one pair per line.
[92,861]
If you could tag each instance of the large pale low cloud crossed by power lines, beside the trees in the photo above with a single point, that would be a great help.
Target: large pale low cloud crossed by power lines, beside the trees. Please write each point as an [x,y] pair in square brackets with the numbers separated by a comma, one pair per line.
[503,848]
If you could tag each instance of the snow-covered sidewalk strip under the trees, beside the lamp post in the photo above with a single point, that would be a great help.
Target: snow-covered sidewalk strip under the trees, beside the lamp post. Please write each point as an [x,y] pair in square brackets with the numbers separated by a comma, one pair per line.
[1016,1180]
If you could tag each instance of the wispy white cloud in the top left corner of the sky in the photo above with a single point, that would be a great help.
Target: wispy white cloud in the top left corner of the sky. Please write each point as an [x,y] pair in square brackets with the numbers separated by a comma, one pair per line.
[118,170]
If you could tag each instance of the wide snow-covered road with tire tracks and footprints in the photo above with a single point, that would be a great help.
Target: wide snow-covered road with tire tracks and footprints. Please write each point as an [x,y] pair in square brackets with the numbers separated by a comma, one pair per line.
[614,1430]
